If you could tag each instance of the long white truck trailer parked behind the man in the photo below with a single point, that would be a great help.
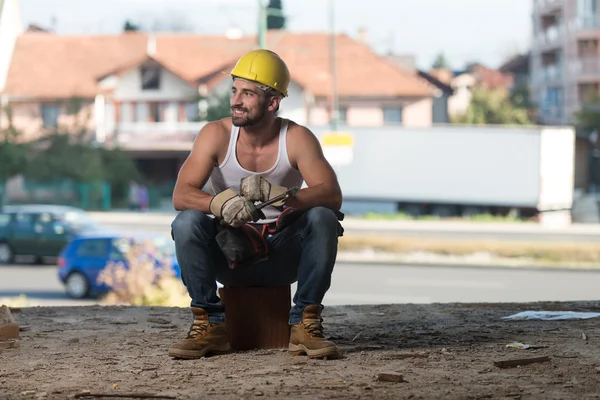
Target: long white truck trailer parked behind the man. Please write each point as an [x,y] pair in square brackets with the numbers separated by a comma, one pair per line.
[456,170]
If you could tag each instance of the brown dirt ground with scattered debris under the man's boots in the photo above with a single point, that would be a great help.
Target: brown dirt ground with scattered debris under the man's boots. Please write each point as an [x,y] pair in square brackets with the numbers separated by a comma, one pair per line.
[442,351]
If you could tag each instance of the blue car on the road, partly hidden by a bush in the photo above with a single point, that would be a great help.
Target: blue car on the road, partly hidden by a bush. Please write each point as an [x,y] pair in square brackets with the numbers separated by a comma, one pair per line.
[83,259]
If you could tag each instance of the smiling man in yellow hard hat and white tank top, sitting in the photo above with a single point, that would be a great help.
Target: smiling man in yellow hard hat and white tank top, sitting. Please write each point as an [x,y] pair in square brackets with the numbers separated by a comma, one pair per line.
[244,161]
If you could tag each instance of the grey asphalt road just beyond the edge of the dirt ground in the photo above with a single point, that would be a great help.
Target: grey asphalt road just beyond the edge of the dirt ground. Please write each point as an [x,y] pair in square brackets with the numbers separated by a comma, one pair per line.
[371,284]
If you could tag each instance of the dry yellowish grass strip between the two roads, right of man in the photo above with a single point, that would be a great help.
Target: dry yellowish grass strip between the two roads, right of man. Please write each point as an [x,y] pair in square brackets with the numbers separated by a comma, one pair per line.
[552,252]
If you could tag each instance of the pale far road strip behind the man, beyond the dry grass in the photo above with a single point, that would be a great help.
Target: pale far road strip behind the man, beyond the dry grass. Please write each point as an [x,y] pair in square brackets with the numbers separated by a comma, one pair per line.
[161,222]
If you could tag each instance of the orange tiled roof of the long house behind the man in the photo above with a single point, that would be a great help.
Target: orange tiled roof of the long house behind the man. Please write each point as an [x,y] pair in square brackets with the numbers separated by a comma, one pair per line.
[53,66]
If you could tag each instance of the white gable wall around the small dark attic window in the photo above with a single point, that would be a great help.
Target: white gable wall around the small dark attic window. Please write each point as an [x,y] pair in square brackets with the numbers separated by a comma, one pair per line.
[129,88]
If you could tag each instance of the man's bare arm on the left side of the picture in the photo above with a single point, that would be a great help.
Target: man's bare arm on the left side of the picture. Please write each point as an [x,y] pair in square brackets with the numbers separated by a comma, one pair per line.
[196,170]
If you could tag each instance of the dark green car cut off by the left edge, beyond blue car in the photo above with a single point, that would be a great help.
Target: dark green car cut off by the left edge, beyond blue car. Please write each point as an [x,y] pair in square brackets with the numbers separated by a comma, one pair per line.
[39,230]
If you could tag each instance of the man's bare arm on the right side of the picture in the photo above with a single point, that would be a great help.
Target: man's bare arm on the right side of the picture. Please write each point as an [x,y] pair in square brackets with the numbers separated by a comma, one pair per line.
[323,187]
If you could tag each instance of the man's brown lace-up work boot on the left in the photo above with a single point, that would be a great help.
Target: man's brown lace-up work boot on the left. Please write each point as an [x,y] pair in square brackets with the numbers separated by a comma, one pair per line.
[203,338]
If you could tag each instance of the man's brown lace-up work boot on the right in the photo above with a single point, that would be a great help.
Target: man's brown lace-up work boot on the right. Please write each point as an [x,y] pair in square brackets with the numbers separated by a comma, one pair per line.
[307,337]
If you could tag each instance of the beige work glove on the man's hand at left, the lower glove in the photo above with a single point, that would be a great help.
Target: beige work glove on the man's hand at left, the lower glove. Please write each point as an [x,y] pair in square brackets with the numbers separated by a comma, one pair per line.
[234,210]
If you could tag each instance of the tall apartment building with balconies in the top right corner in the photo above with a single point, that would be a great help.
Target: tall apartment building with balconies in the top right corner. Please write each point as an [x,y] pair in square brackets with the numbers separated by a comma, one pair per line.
[565,57]
